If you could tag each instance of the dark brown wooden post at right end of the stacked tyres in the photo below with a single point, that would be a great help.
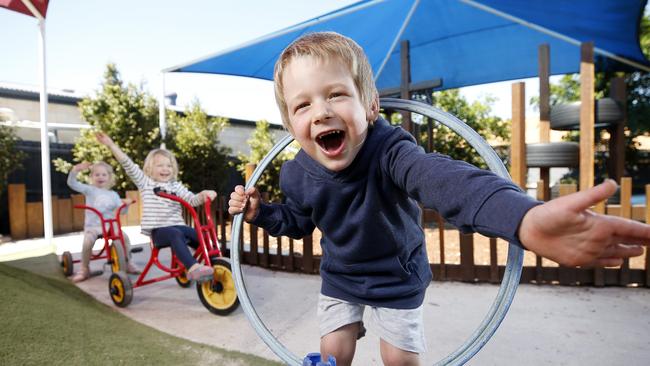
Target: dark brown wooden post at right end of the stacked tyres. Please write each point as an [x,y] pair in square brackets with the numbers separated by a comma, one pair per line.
[616,164]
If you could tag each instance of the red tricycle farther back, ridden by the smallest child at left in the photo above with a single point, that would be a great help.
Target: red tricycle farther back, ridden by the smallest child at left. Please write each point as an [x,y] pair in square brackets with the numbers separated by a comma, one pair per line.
[115,255]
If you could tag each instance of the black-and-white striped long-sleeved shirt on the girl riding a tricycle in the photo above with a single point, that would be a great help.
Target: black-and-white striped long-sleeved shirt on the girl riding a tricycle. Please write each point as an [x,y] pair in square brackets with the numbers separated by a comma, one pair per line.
[157,211]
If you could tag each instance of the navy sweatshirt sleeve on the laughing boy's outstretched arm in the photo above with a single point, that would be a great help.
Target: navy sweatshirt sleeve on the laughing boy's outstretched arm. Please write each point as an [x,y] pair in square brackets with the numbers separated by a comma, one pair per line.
[472,199]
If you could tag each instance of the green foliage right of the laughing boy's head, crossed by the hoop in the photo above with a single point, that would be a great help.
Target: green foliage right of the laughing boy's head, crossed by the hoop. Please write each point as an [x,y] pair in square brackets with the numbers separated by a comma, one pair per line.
[476,115]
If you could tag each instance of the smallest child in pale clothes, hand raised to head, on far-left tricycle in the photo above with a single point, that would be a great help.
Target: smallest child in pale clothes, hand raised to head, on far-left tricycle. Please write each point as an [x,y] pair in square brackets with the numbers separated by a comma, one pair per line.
[99,196]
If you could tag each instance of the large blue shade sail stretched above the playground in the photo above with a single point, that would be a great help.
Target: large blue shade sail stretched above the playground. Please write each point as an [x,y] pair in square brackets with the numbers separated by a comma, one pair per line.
[460,42]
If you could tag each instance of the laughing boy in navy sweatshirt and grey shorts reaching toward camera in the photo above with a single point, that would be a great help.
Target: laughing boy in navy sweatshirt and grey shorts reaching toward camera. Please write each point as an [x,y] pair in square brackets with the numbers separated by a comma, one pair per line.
[358,180]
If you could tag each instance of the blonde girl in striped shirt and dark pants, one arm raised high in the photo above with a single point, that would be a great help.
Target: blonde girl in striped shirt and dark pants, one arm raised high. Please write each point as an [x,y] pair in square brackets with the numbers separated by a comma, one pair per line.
[162,219]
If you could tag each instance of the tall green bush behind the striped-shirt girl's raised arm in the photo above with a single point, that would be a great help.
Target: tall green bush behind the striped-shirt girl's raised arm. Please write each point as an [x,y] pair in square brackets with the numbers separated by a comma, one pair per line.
[127,114]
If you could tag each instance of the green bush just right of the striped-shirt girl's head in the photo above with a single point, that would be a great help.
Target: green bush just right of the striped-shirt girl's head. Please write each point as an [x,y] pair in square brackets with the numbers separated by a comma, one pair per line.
[194,138]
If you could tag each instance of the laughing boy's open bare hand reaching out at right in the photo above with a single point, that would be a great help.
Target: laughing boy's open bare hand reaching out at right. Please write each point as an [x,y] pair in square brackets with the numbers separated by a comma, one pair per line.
[567,232]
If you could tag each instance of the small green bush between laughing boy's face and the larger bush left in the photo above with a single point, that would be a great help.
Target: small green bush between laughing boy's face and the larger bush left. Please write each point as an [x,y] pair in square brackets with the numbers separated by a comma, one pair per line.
[261,142]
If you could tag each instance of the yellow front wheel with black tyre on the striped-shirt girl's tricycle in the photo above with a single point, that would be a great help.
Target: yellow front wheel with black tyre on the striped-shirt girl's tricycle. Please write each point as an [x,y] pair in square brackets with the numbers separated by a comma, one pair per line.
[219,295]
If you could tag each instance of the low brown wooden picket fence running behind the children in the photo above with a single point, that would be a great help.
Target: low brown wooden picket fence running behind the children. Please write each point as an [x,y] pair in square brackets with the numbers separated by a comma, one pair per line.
[453,256]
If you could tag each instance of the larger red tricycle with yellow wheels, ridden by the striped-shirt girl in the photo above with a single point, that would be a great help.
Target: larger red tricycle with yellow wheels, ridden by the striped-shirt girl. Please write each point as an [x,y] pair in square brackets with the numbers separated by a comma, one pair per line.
[218,295]
